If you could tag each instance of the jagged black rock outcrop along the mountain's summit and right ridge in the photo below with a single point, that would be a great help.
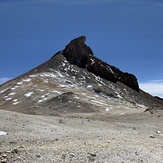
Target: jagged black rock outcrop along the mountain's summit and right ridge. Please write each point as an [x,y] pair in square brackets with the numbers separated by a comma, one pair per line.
[78,53]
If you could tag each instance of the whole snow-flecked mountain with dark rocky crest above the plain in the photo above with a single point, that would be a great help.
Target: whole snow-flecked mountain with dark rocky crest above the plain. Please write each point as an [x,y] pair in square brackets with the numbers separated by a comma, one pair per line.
[74,80]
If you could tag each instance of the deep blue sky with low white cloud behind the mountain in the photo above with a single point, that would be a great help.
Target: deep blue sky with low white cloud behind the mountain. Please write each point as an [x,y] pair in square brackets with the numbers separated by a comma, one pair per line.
[125,33]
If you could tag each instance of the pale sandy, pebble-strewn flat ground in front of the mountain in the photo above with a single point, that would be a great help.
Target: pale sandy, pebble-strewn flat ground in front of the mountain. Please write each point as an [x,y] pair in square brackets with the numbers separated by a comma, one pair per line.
[81,138]
